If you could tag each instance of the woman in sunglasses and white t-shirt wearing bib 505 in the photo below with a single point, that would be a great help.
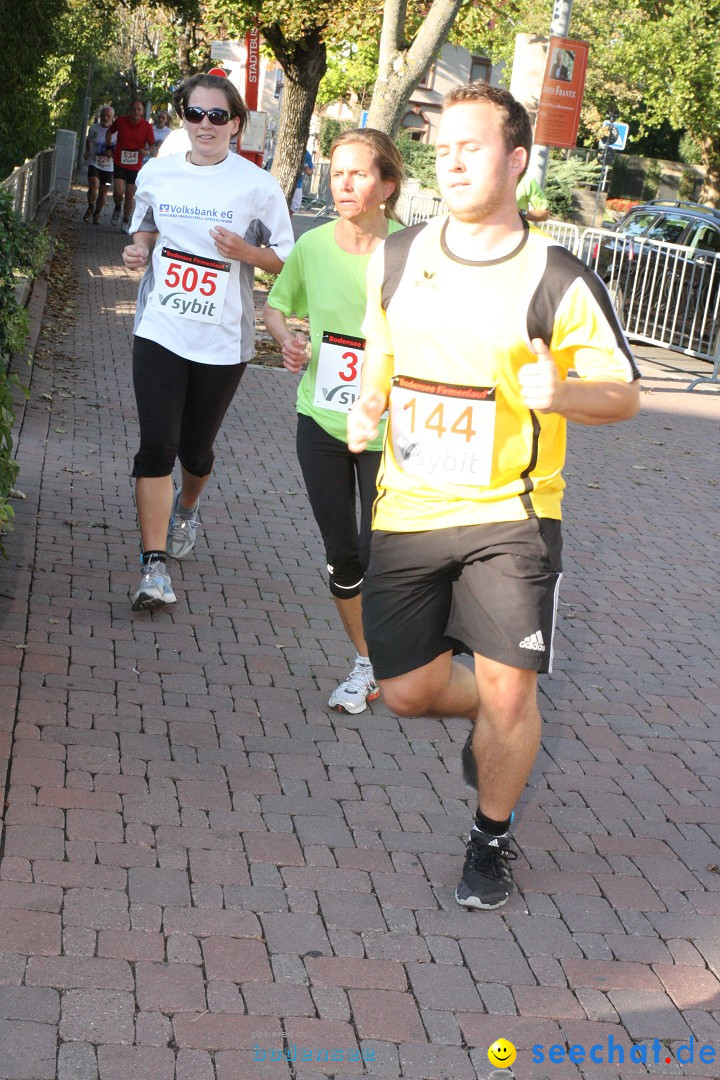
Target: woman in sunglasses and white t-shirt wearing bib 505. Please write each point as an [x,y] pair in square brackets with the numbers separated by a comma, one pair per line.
[206,219]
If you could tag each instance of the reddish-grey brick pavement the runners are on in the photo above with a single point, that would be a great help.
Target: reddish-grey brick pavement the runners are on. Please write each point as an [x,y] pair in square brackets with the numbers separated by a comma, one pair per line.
[199,857]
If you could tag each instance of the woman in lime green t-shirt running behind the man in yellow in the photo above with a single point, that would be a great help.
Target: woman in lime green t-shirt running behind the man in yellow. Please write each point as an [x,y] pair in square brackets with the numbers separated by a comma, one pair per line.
[325,279]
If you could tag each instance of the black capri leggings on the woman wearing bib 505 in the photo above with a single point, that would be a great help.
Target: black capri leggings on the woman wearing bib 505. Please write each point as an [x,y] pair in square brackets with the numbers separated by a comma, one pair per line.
[181,406]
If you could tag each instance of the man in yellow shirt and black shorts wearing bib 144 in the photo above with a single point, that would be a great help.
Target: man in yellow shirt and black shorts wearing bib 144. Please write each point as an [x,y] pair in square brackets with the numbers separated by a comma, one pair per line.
[473,325]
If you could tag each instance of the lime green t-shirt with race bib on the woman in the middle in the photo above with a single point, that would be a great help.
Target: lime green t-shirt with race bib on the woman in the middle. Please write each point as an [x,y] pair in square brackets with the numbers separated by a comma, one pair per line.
[322,282]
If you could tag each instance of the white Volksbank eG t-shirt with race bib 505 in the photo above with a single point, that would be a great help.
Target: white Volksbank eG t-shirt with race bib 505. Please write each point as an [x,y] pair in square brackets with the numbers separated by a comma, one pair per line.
[194,302]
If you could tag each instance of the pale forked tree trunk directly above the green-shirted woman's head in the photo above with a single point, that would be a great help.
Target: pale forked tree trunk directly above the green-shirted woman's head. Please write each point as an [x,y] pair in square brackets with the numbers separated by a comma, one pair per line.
[400,69]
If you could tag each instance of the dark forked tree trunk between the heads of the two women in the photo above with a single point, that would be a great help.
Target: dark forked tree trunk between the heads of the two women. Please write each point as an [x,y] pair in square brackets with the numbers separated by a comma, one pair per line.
[305,64]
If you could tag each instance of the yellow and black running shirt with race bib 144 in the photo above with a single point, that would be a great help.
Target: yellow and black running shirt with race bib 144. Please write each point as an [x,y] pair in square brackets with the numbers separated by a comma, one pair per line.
[461,448]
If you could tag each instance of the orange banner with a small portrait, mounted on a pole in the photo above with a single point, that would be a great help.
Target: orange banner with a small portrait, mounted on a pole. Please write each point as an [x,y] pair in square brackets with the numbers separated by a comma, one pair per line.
[562,94]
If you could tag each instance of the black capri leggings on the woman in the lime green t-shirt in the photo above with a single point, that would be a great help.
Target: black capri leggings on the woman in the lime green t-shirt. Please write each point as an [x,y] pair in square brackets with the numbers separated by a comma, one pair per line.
[333,476]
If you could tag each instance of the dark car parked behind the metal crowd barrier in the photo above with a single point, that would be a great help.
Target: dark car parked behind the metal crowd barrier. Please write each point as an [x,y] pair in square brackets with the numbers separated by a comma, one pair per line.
[661,264]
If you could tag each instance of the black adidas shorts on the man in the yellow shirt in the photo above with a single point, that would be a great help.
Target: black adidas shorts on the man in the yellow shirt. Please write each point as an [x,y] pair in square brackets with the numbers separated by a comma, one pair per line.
[492,588]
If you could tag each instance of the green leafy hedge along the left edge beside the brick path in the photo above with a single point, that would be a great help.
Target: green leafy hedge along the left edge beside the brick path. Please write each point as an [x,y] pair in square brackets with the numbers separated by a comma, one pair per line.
[23,250]
